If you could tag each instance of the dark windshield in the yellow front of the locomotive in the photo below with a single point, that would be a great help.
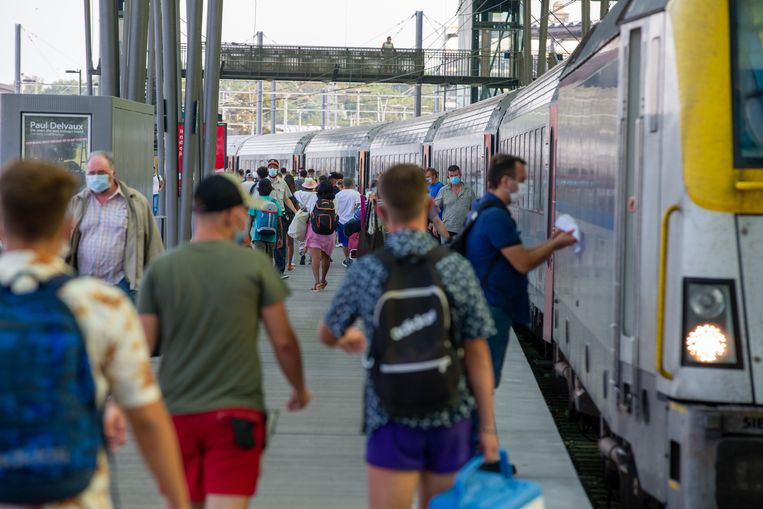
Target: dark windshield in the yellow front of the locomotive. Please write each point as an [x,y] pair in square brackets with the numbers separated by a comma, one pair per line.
[747,58]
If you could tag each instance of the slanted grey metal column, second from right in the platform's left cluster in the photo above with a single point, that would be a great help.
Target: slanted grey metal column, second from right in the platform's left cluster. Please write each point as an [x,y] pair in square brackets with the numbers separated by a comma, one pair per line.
[191,120]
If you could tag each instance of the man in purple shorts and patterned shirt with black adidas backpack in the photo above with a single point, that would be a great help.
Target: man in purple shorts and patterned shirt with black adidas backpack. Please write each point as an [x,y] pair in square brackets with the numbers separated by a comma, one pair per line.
[427,359]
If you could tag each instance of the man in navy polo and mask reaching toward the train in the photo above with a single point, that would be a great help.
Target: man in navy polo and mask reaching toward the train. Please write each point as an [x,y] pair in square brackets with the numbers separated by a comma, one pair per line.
[500,260]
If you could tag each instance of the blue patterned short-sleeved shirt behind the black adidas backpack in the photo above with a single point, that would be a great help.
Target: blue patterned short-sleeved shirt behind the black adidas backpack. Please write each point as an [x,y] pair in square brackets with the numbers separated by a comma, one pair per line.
[363,287]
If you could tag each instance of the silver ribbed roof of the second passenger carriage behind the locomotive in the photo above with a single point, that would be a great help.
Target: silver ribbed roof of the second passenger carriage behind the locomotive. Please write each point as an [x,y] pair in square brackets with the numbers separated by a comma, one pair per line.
[478,118]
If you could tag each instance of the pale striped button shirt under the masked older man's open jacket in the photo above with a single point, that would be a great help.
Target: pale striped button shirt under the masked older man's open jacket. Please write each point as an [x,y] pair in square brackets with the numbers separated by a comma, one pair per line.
[103,228]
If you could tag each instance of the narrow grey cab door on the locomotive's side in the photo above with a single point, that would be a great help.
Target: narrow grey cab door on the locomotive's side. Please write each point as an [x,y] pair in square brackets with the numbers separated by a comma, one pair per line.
[629,210]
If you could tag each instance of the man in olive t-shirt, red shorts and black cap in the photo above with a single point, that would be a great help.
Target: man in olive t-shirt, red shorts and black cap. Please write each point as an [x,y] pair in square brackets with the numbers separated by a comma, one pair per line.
[202,302]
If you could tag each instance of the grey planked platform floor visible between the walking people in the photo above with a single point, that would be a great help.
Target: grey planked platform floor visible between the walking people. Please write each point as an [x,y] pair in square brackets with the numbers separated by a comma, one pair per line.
[315,459]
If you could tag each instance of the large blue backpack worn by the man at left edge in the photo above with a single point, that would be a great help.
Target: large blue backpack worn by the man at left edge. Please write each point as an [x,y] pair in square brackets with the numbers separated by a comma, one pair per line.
[50,425]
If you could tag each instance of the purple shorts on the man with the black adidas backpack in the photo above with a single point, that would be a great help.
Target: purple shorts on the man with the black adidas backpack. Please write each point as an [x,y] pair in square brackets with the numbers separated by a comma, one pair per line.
[440,450]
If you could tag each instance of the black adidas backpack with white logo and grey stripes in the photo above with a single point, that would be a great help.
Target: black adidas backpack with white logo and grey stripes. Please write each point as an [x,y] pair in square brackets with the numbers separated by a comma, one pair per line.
[414,360]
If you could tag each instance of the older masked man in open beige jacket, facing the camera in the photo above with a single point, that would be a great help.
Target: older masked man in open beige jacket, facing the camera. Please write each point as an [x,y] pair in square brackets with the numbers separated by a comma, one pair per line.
[115,235]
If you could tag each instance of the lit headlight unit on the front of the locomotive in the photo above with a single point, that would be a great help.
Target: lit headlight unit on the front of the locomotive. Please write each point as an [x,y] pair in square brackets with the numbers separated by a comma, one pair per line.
[710,326]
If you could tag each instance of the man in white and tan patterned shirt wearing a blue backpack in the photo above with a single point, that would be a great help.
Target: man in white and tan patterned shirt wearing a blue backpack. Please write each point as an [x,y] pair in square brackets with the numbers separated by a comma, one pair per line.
[66,343]
